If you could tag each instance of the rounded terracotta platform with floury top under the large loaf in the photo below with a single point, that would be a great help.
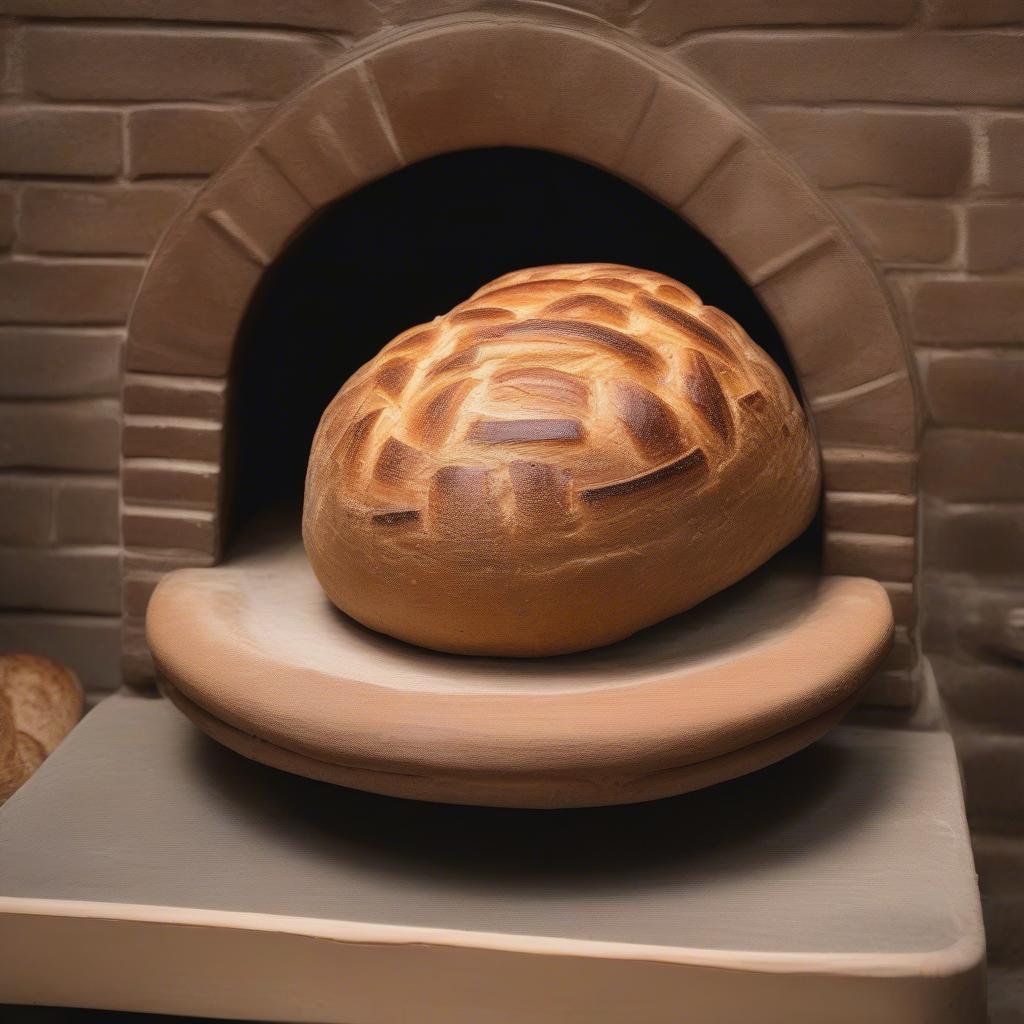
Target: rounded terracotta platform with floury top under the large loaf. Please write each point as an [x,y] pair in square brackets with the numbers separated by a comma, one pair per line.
[257,657]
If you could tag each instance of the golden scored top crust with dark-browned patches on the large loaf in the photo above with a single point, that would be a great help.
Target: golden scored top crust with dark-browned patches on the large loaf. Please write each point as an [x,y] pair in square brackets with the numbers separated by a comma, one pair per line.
[515,402]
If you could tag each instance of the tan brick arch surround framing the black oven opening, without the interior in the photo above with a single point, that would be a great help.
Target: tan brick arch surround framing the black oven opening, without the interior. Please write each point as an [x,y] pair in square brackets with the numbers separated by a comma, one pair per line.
[589,95]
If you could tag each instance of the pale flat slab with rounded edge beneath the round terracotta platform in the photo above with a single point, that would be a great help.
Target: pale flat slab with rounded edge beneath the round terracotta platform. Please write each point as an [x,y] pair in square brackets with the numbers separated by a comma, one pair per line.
[145,868]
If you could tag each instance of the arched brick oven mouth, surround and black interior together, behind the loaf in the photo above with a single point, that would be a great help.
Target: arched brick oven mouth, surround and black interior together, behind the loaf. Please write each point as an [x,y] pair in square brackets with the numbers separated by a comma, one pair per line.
[305,257]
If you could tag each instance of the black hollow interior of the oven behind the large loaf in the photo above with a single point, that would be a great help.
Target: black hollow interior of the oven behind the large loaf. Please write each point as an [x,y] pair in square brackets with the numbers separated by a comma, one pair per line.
[409,247]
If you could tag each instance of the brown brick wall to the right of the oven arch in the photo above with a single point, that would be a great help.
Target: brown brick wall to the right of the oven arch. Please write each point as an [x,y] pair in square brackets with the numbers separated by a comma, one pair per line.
[915,133]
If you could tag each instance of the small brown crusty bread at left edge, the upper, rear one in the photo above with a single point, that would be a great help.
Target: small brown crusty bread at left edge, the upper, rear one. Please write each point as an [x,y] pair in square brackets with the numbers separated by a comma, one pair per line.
[45,697]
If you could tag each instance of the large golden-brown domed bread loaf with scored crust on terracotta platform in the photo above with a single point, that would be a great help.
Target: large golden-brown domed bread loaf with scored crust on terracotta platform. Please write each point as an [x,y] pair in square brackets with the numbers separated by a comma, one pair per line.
[575,453]
